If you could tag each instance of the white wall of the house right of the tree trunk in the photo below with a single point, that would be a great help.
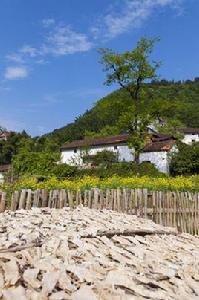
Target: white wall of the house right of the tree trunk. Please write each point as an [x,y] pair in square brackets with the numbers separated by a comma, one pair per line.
[159,159]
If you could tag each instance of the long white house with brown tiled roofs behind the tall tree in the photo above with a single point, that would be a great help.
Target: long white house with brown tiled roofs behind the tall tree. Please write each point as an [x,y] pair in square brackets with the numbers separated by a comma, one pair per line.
[156,151]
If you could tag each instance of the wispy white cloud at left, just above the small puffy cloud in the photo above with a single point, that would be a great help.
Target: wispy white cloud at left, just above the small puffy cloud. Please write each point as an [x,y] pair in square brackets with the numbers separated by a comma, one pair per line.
[59,40]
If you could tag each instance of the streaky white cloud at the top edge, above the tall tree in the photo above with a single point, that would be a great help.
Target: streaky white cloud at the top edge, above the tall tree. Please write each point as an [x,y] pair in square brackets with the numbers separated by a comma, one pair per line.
[130,15]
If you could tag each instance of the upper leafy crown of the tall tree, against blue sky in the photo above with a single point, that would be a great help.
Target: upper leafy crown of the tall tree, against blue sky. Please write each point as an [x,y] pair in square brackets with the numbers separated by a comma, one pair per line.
[129,67]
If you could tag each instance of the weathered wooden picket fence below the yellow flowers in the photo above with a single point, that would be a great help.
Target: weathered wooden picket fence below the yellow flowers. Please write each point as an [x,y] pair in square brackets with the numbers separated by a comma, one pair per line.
[176,209]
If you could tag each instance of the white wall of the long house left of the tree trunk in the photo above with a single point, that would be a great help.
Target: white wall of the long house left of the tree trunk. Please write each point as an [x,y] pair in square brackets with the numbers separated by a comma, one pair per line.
[70,157]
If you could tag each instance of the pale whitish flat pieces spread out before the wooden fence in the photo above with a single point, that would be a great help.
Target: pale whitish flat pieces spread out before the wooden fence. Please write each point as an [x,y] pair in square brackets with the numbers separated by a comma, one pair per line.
[87,254]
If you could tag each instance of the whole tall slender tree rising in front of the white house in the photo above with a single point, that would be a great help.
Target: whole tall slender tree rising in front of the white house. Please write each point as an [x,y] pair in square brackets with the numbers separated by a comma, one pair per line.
[130,70]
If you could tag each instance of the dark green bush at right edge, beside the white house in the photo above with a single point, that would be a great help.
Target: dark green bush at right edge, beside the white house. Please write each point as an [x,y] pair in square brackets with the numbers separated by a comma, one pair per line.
[186,160]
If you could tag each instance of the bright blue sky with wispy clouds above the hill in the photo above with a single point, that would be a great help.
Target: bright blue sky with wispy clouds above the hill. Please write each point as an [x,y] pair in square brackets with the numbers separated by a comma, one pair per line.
[49,65]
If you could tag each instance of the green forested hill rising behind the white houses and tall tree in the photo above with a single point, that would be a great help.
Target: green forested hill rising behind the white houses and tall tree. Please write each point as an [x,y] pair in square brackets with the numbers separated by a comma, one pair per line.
[165,99]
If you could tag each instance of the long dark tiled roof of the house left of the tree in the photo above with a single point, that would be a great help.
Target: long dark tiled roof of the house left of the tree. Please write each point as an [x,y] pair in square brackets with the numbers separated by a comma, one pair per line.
[108,140]
